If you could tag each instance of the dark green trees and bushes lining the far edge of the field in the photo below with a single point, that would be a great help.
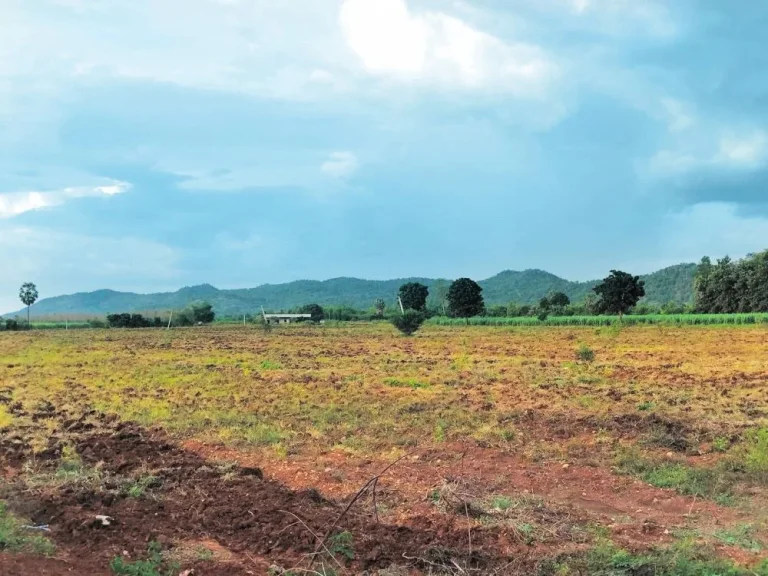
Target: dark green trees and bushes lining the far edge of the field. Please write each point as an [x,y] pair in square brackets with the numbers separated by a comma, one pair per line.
[727,286]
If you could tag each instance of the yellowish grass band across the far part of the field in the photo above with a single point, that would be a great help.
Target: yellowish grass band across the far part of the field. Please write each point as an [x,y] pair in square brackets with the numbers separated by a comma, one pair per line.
[362,388]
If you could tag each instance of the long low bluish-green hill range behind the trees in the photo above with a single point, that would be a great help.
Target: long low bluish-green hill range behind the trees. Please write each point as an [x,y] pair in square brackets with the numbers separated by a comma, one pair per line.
[673,284]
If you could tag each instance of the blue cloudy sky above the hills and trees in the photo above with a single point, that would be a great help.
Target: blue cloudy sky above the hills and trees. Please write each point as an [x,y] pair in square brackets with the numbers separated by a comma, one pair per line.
[146,145]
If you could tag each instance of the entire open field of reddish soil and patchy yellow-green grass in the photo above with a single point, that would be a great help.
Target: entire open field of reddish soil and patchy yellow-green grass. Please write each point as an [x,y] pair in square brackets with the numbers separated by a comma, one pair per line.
[225,450]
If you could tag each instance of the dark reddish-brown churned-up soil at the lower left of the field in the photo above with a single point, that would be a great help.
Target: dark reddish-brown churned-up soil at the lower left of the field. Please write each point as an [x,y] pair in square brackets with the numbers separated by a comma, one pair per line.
[251,516]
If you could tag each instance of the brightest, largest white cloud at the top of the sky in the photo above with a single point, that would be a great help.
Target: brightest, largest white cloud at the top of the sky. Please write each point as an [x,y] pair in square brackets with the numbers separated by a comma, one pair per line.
[394,42]
